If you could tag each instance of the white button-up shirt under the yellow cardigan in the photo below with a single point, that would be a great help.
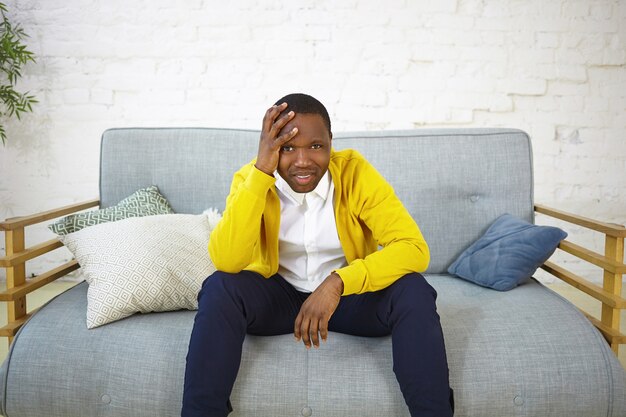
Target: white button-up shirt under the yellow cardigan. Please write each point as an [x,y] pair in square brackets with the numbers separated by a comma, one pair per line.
[309,247]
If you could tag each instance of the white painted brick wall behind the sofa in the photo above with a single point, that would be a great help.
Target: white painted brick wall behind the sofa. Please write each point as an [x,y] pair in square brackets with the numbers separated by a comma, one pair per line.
[556,69]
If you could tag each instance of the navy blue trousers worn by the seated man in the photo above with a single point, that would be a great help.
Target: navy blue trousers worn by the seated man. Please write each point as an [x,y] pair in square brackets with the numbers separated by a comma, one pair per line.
[231,305]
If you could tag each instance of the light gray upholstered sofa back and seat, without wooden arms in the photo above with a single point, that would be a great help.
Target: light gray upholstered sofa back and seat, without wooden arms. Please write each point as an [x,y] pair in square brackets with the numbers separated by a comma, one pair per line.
[525,352]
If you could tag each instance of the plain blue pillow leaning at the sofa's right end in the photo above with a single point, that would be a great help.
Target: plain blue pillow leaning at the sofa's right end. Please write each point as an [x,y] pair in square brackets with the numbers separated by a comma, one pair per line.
[507,254]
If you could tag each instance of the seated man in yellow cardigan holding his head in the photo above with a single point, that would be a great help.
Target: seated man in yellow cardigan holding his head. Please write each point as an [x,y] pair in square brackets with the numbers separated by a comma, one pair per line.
[297,250]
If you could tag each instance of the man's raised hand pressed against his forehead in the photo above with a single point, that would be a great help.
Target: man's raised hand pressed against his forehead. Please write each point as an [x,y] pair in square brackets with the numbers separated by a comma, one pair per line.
[270,142]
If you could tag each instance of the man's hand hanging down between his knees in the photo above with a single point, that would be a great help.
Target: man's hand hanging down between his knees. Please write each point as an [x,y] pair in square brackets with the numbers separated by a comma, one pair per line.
[312,321]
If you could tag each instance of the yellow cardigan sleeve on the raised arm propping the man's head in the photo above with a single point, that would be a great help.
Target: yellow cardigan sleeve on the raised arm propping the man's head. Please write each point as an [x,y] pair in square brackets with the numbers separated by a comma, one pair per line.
[236,237]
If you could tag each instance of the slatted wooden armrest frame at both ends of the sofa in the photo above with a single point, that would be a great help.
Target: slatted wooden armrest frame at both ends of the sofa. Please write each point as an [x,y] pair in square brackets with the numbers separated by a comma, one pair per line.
[609,294]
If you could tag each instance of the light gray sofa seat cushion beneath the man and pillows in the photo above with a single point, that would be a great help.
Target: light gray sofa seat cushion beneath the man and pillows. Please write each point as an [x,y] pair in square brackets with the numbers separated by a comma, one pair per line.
[507,353]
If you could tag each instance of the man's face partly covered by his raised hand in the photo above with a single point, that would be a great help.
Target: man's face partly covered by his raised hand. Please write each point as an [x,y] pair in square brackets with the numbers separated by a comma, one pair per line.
[304,159]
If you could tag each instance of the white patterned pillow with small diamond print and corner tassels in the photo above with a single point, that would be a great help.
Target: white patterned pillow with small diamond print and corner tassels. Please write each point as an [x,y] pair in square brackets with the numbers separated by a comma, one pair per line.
[143,264]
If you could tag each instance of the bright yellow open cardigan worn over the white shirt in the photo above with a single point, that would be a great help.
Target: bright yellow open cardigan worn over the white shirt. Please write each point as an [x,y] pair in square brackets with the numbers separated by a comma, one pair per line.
[367,212]
